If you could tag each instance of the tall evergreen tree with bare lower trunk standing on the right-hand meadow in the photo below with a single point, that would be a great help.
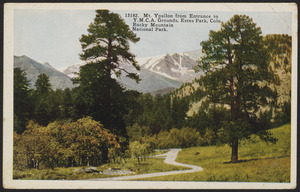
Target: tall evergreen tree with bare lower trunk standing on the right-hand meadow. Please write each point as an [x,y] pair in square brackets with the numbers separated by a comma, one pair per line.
[237,74]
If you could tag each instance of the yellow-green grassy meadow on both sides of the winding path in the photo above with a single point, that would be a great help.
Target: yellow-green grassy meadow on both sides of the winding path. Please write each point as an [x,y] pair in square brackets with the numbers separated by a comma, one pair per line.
[258,162]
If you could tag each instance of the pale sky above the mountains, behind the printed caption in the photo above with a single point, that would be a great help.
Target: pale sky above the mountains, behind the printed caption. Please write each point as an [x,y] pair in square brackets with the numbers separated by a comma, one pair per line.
[53,35]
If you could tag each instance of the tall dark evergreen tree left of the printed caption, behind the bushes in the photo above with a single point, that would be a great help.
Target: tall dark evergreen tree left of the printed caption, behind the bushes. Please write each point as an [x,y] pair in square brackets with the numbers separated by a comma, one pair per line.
[104,48]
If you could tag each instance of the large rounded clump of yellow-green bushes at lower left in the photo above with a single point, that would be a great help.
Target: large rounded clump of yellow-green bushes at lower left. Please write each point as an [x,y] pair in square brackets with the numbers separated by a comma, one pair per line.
[64,144]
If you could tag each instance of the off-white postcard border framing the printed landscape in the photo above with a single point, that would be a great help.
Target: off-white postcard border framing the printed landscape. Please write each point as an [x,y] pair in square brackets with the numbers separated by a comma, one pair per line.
[8,182]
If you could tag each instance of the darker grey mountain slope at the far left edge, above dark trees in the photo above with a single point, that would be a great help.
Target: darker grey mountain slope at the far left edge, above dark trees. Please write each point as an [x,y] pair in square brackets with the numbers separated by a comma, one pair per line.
[33,69]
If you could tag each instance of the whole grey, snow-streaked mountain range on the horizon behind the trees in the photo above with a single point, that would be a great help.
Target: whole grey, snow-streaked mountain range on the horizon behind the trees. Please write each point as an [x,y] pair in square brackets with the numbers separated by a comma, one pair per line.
[159,74]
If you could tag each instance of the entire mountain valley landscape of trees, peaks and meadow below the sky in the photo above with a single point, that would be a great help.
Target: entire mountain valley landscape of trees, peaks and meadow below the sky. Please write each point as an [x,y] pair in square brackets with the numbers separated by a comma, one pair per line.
[221,113]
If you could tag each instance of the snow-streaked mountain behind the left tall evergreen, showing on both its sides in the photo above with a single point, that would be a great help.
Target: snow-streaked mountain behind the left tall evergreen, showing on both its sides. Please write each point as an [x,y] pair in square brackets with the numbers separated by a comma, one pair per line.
[159,74]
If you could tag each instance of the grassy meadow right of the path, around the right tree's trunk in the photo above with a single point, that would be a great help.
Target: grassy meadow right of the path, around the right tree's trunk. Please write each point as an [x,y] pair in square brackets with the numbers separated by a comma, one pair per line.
[259,161]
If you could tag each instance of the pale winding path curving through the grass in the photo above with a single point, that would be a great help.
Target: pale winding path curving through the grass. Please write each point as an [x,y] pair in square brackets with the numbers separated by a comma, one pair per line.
[170,159]
